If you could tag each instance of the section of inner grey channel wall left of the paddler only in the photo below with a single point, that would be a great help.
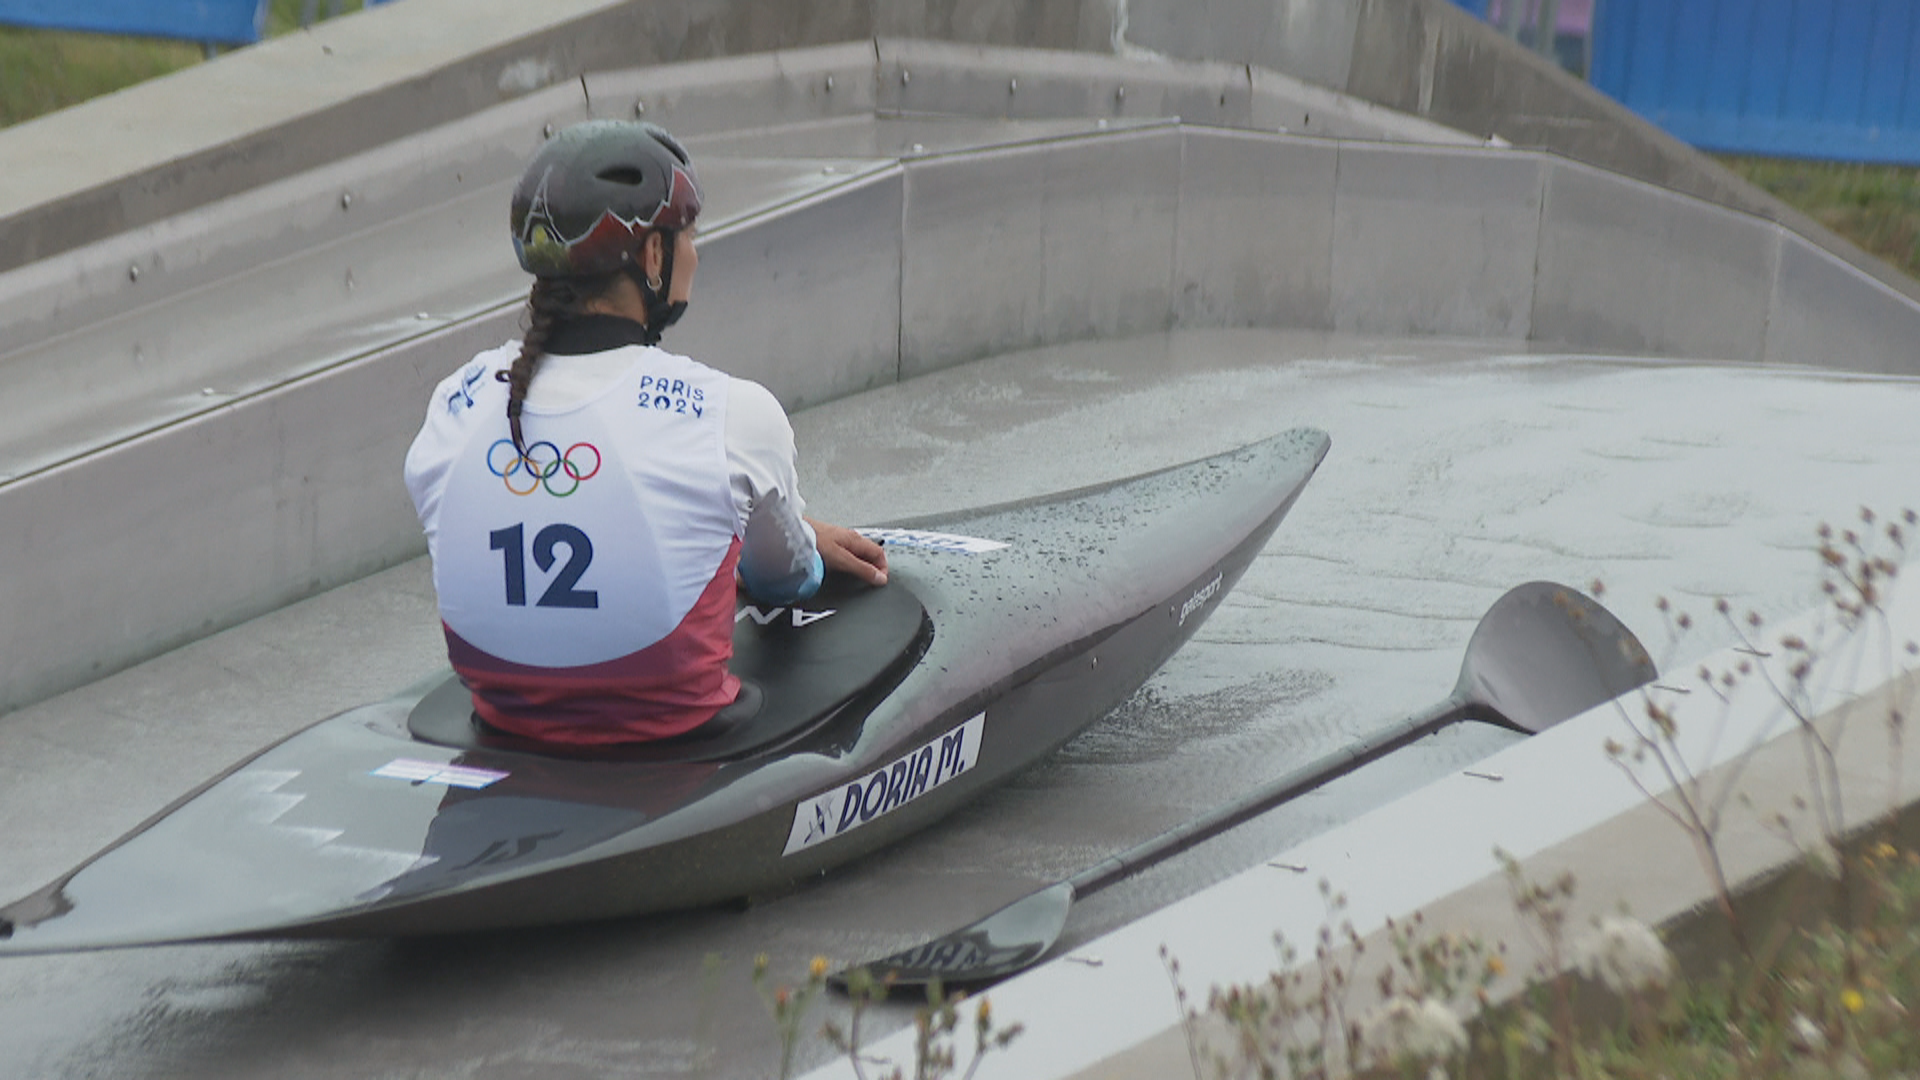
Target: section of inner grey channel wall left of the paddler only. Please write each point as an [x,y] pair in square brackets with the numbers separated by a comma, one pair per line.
[206,524]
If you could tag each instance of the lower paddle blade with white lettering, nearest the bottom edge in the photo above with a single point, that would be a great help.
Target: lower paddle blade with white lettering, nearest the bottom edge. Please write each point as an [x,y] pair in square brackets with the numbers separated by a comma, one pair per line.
[994,948]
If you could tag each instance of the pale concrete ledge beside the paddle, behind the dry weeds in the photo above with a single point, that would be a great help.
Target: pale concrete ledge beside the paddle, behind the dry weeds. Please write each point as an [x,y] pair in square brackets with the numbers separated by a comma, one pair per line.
[1560,806]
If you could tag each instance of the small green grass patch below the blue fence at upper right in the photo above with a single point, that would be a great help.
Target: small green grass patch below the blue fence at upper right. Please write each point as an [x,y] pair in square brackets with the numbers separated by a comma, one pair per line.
[1875,207]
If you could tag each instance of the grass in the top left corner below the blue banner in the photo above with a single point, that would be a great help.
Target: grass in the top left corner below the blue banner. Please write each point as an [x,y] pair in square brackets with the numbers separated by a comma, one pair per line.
[51,70]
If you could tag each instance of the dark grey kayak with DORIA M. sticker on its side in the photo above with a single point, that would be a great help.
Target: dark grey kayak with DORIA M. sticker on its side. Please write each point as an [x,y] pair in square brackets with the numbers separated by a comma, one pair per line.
[867,714]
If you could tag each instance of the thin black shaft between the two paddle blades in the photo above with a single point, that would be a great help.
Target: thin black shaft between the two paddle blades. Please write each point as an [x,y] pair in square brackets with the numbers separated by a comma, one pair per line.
[1264,798]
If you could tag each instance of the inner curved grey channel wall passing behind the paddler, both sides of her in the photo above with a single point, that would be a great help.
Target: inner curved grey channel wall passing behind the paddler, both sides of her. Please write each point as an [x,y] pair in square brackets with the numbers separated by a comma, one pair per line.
[919,266]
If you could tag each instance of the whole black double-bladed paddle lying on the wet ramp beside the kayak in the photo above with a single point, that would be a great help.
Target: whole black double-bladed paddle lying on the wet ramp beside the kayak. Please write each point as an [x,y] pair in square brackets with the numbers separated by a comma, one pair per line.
[1541,654]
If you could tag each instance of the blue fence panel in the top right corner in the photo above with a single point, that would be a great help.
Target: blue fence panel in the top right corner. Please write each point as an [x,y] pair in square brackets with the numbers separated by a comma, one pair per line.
[1787,78]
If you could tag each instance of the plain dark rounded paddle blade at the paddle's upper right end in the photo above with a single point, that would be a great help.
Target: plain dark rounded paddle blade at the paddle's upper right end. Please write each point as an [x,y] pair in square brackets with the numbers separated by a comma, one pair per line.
[1547,654]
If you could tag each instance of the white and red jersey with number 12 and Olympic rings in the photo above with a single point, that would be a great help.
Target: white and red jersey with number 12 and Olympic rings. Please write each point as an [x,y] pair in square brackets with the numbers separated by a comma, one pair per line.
[592,577]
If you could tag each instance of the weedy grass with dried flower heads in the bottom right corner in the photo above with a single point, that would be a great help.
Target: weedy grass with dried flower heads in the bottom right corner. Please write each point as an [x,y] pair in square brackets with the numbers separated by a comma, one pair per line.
[1829,1002]
